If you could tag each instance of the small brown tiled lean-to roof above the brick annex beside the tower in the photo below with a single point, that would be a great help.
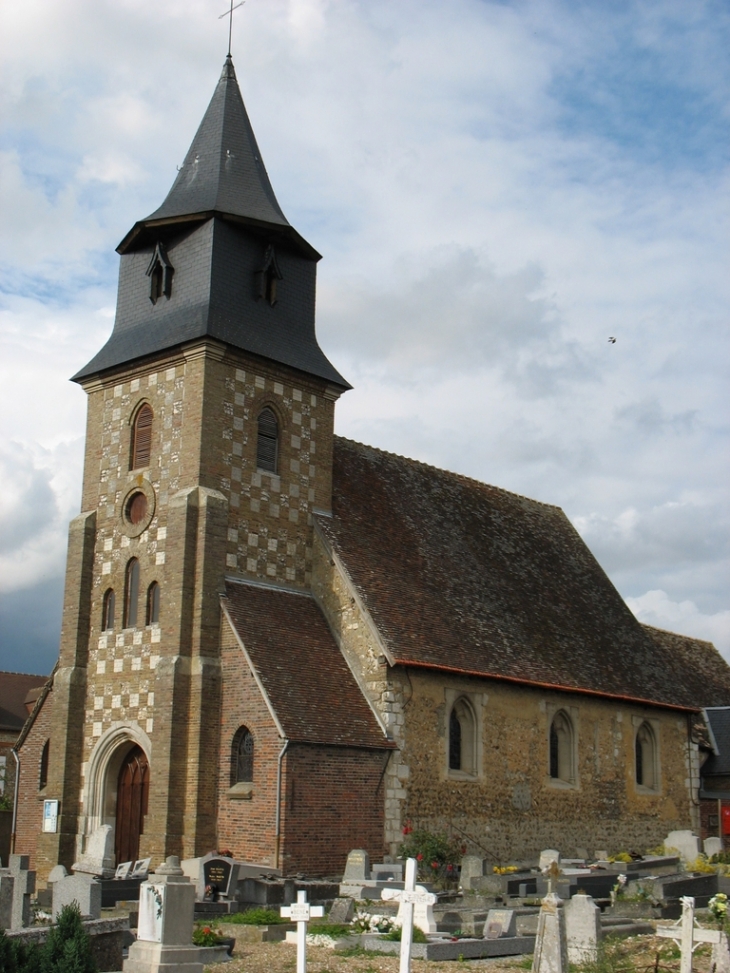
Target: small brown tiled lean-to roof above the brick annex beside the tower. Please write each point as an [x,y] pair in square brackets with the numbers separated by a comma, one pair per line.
[311,689]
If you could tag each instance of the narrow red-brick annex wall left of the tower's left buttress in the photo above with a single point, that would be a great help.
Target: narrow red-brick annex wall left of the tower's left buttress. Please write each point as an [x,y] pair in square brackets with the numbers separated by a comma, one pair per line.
[30,799]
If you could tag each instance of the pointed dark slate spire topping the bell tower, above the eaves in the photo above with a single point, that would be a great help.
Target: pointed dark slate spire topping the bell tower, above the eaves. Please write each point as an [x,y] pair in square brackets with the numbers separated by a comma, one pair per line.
[223,169]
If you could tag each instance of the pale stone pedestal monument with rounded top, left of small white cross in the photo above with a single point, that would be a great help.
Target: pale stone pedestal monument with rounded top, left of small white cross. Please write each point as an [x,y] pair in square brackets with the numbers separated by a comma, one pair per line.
[165,924]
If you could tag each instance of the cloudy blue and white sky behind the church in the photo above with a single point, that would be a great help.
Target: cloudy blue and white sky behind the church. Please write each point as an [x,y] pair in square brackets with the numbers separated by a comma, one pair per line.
[497,188]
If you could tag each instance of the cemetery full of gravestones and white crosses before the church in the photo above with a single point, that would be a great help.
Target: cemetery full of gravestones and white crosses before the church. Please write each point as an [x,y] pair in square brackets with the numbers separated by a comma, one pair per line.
[555,913]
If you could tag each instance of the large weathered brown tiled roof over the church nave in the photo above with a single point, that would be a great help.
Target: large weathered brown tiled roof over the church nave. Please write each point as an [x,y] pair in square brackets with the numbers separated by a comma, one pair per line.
[462,576]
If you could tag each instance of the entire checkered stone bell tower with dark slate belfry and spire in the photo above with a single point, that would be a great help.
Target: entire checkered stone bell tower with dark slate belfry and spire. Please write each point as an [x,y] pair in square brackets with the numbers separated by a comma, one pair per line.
[208,448]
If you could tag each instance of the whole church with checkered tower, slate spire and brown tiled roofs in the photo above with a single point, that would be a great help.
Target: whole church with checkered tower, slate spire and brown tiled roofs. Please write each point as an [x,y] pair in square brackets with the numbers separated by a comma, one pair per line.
[286,644]
